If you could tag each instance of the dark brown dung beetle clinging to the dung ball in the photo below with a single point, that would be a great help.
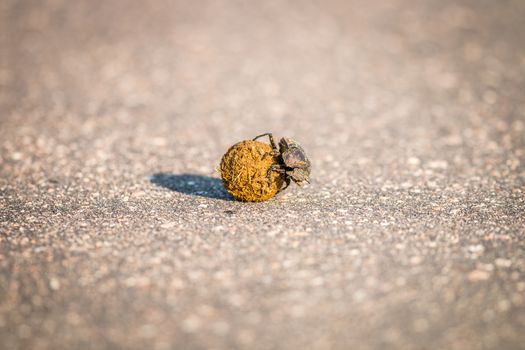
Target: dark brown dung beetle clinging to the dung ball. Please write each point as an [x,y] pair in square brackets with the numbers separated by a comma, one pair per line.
[290,160]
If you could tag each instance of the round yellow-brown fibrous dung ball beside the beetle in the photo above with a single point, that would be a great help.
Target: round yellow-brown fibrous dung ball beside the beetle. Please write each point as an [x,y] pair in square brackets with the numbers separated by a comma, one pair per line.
[244,171]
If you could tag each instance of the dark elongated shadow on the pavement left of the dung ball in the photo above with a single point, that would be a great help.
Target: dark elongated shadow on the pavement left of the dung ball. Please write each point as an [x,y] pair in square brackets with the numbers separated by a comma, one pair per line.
[195,185]
